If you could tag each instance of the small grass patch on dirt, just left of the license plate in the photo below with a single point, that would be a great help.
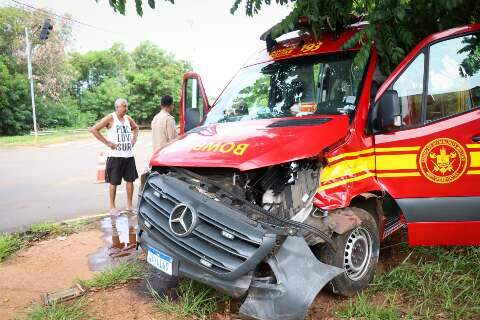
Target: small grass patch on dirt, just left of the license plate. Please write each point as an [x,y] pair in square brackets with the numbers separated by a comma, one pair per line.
[117,275]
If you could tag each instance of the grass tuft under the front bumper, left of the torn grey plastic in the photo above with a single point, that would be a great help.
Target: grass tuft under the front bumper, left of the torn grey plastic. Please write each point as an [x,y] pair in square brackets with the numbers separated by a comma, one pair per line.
[194,301]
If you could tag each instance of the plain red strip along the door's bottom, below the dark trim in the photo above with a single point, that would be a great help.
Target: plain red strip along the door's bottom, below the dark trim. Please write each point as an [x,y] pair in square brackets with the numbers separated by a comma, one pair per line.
[443,233]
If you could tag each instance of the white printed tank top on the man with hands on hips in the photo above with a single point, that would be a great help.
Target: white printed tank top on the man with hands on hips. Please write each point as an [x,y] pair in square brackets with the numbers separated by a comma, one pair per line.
[120,134]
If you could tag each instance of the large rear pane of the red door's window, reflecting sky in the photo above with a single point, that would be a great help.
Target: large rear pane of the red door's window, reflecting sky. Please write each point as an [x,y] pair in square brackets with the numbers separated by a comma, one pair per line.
[453,77]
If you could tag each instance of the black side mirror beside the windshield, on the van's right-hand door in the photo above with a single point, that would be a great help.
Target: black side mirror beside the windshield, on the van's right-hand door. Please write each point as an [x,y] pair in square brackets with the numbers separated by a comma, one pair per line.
[389,112]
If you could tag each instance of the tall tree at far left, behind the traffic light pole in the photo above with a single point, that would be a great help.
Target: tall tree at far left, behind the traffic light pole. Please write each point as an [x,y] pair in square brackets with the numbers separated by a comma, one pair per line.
[51,72]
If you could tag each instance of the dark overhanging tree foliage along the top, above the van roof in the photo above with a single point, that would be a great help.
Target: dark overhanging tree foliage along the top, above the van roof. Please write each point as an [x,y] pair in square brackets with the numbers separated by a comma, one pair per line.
[395,26]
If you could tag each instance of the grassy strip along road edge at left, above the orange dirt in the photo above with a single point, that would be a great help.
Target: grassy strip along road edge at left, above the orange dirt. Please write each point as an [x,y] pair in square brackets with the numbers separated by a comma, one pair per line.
[11,243]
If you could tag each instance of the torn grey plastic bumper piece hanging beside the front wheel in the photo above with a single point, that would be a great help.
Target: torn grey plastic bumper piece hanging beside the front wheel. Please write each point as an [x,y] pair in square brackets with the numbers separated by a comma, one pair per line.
[299,278]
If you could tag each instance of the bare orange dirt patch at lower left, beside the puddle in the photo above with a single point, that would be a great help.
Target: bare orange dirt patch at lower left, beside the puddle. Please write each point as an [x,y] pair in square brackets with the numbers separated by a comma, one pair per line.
[46,267]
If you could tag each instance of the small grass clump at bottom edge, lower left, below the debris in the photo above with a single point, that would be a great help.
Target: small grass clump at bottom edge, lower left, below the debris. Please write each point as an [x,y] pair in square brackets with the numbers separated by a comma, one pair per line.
[73,311]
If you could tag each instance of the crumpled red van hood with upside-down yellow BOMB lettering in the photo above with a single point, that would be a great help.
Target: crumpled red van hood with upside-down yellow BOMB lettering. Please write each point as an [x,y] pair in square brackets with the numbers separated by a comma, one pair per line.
[248,145]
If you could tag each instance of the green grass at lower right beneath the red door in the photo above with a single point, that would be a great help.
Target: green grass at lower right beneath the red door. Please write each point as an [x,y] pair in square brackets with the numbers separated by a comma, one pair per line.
[433,283]
